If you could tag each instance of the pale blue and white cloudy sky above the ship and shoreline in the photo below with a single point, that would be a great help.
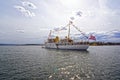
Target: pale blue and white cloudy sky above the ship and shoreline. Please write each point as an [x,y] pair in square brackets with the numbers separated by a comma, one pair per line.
[29,21]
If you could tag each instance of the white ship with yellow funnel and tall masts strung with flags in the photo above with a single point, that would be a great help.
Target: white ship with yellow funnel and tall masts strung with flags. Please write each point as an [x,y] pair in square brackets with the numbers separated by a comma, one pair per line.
[67,43]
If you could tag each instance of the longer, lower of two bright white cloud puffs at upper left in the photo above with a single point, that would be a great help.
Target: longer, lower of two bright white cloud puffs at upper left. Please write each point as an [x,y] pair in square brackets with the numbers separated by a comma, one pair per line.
[24,11]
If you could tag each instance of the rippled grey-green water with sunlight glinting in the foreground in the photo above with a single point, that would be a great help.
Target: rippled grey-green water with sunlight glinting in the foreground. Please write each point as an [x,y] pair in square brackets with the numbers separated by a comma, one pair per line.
[36,63]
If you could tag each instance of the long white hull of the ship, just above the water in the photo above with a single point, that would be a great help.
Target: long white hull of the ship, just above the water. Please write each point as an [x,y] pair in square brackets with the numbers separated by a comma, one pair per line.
[67,46]
